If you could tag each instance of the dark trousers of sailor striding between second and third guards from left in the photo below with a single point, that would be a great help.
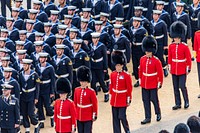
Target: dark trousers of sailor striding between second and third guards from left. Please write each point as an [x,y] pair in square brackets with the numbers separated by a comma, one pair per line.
[98,76]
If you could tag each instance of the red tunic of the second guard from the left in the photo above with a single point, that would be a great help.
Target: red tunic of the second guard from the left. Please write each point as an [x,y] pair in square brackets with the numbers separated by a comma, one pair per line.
[86,103]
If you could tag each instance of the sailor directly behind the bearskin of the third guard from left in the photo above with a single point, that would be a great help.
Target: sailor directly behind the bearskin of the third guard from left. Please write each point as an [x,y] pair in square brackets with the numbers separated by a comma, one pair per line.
[120,43]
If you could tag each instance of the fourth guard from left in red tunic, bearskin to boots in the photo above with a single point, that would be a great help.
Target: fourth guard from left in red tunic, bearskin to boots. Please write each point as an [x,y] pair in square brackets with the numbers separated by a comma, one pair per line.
[151,78]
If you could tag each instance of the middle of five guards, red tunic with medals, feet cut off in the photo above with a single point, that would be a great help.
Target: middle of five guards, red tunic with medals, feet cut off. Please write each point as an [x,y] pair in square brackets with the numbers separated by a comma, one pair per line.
[120,91]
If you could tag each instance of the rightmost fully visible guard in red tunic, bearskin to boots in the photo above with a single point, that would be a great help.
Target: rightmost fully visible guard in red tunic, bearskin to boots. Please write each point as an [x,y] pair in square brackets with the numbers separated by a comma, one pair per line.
[179,59]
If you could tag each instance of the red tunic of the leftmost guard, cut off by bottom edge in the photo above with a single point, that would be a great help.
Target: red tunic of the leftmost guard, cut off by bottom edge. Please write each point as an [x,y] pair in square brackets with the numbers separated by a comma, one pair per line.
[64,115]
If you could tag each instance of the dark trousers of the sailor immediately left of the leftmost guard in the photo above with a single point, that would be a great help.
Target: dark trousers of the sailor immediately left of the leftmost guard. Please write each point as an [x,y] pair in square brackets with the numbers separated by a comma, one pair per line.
[44,101]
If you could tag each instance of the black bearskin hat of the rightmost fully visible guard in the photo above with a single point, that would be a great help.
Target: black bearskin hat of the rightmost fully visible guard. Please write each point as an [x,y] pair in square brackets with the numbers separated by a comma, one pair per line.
[178,30]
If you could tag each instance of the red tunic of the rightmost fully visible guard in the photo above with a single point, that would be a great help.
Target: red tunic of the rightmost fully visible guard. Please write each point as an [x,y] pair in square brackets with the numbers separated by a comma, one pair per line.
[179,58]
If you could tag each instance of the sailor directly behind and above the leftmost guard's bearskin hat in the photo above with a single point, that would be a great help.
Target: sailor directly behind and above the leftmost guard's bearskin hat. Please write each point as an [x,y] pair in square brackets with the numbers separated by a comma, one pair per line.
[63,68]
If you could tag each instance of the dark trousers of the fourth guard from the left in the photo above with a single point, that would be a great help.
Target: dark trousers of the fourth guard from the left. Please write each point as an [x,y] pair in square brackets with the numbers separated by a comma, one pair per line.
[149,95]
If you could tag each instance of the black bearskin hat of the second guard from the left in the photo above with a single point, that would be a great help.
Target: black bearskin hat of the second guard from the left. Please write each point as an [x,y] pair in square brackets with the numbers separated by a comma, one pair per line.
[84,74]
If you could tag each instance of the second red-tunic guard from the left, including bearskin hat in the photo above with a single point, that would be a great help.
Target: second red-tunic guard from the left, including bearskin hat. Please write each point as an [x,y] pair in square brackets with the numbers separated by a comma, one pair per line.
[85,101]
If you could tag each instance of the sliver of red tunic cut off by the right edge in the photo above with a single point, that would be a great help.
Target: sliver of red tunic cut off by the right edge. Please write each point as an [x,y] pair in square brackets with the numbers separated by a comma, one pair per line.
[197,45]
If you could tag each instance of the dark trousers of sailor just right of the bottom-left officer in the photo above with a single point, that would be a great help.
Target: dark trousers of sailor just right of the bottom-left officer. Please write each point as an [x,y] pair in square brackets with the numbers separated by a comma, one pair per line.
[27,109]
